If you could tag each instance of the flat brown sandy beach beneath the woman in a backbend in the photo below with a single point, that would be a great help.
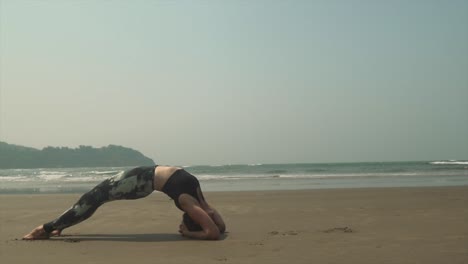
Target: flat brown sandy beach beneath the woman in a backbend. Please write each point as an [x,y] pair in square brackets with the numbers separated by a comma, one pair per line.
[385,225]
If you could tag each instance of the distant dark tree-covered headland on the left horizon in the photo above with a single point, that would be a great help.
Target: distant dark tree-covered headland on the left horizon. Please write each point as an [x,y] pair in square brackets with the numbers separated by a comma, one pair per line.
[14,156]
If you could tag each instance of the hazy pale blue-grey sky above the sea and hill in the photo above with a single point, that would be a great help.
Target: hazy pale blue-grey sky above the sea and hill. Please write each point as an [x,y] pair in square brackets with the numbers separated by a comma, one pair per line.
[238,82]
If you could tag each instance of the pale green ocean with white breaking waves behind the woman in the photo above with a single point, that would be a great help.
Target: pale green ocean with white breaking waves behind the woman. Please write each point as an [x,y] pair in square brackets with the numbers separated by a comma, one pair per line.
[250,177]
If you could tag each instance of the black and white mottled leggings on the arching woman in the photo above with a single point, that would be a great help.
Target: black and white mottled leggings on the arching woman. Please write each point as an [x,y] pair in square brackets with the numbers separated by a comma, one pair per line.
[132,184]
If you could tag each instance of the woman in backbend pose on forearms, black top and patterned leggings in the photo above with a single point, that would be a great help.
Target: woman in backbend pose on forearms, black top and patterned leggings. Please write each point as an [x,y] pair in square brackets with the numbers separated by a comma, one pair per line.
[200,220]
